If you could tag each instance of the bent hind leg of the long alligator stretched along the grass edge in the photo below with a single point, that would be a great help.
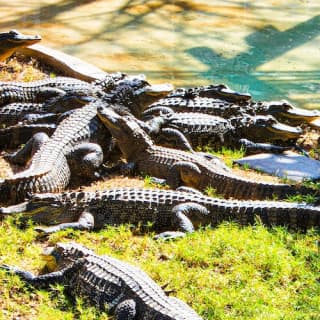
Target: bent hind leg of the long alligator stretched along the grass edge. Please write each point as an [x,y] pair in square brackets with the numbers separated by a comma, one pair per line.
[182,217]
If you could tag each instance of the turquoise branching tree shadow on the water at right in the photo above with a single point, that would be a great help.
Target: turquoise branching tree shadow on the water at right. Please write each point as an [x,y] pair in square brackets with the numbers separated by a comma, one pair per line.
[265,45]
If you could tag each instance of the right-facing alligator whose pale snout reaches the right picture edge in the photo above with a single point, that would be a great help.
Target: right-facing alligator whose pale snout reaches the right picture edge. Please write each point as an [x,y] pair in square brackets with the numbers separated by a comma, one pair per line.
[281,110]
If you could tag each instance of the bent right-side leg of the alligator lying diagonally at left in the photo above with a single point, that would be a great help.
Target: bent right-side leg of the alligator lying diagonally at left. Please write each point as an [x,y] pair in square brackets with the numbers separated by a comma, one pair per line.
[85,160]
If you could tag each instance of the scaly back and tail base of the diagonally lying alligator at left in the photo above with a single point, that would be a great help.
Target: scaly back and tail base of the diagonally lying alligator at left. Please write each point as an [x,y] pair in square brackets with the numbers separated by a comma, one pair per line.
[49,170]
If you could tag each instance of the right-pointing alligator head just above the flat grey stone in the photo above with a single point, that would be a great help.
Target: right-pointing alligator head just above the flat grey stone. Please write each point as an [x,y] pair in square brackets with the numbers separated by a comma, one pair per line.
[267,128]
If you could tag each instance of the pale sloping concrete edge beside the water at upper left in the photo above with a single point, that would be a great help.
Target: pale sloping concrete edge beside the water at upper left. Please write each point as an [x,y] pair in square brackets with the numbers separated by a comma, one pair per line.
[65,63]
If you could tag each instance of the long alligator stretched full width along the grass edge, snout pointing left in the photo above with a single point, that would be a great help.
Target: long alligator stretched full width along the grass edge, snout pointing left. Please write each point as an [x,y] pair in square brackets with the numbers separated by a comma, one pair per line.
[170,212]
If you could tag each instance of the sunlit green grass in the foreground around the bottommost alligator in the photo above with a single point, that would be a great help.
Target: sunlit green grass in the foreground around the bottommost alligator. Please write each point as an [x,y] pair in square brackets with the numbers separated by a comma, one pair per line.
[223,273]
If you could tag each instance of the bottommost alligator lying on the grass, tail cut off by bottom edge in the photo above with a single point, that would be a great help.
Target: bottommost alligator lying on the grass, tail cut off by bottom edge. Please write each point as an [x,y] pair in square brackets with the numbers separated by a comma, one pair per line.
[107,283]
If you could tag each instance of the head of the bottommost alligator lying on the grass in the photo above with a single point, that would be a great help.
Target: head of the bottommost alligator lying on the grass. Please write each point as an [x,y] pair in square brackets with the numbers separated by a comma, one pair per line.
[62,254]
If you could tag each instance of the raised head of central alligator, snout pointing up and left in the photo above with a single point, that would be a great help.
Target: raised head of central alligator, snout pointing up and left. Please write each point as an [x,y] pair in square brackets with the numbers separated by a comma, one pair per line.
[131,138]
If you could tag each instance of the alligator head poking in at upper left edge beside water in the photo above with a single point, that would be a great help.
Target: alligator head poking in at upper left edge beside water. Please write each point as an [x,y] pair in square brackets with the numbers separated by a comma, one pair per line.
[12,40]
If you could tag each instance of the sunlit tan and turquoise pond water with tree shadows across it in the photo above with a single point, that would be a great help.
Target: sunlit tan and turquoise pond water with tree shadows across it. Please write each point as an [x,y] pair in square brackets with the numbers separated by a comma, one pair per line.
[270,49]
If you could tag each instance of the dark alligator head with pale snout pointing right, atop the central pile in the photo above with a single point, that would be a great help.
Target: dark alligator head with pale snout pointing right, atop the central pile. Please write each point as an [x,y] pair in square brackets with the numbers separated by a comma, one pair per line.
[137,94]
